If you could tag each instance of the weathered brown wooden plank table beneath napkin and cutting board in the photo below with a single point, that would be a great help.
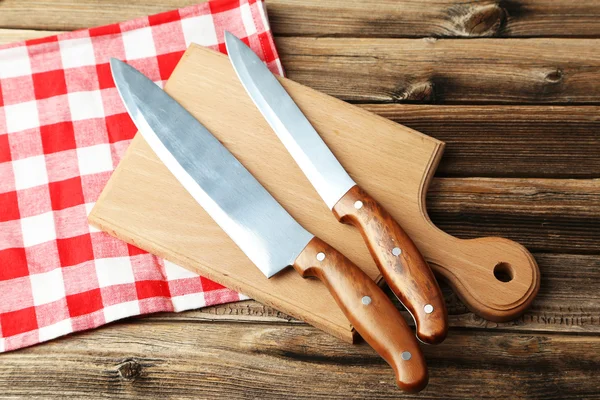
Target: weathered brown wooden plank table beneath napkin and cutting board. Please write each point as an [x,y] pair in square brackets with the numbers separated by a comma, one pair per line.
[519,108]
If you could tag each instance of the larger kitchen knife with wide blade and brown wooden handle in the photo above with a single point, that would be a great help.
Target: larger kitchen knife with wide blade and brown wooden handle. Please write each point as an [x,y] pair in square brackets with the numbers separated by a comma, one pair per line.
[260,226]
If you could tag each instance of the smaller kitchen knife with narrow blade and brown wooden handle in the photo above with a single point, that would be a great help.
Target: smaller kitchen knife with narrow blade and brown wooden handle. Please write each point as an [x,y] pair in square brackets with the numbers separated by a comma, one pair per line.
[400,262]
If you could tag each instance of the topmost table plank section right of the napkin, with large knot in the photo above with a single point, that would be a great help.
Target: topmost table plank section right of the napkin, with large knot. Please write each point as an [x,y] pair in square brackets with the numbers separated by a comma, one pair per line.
[445,18]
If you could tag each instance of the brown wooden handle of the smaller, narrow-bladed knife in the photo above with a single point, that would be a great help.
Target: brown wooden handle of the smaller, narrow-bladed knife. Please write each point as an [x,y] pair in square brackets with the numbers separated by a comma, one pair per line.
[400,262]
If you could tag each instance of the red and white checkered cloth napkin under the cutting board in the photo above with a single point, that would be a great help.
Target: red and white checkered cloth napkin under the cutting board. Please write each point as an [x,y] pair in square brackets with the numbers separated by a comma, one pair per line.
[63,130]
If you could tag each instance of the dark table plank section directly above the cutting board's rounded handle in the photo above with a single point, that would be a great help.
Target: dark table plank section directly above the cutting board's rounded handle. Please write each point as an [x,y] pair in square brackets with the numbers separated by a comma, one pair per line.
[545,215]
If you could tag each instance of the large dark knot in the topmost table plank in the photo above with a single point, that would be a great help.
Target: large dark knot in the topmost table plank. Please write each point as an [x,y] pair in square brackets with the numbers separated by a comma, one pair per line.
[480,20]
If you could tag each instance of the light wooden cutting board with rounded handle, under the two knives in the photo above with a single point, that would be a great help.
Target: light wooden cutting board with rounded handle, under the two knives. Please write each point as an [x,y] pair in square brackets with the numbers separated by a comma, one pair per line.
[145,205]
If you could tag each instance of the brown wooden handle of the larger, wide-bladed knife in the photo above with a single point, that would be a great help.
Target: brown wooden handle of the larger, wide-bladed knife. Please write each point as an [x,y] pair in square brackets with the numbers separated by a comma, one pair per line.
[370,311]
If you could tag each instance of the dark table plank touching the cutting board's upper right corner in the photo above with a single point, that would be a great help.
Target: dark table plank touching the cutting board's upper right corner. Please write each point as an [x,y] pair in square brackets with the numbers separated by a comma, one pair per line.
[507,141]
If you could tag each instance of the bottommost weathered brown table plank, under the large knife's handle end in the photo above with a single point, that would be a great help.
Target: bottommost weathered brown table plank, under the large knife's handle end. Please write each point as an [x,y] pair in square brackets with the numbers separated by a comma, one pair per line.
[169,359]
